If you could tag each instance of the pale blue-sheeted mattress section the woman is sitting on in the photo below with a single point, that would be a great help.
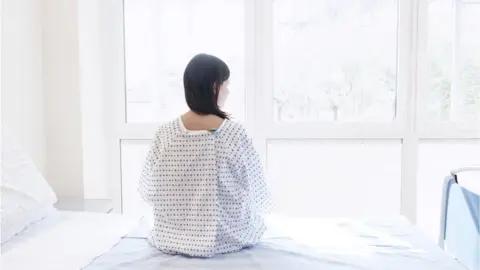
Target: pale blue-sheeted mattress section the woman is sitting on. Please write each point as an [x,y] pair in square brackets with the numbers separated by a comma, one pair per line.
[299,243]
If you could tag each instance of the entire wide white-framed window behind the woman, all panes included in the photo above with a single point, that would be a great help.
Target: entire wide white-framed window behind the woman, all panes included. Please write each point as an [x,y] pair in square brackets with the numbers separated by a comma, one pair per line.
[388,89]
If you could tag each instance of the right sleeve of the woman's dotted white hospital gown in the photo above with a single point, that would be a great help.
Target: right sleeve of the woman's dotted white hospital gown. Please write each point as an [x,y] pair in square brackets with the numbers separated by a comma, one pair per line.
[252,173]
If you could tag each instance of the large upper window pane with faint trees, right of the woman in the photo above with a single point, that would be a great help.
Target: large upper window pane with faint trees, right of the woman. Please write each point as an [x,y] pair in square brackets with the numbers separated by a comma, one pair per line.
[335,60]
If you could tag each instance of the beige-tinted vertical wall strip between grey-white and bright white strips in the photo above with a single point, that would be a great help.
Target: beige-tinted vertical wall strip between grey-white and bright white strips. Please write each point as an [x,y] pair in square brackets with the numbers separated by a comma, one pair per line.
[61,83]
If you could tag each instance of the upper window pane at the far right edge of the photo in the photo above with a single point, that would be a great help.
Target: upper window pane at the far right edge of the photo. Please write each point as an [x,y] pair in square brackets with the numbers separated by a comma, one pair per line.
[453,61]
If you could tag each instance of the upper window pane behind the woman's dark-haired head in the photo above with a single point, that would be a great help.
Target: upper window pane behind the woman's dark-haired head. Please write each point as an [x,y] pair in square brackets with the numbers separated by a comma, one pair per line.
[161,36]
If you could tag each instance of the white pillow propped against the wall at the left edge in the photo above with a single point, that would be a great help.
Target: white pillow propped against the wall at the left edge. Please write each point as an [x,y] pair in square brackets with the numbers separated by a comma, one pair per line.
[26,196]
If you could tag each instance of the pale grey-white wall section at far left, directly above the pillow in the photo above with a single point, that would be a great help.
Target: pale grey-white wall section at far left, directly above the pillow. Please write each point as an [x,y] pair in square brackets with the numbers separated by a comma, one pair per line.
[22,95]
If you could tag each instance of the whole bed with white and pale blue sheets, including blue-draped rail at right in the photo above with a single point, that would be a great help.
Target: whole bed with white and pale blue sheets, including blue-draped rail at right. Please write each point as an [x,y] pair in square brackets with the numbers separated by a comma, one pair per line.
[98,241]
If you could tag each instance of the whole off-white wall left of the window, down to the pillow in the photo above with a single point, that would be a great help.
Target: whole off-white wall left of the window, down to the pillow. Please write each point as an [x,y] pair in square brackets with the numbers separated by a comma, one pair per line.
[52,90]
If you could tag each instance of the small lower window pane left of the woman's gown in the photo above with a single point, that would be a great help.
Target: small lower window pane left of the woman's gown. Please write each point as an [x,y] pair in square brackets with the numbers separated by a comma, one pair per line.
[133,156]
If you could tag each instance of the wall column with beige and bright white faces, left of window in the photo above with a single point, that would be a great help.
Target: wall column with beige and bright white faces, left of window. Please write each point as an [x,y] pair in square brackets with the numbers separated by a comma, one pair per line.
[73,98]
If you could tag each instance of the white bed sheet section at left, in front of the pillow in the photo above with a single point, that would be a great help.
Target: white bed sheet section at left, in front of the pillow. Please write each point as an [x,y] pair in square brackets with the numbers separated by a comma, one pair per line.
[64,241]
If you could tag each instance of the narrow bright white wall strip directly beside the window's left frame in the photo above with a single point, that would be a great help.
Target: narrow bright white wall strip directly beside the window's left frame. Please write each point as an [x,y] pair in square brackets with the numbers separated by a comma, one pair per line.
[92,101]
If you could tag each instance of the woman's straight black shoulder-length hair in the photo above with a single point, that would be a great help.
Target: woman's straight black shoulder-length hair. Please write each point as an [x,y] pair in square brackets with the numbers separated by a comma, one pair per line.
[202,79]
